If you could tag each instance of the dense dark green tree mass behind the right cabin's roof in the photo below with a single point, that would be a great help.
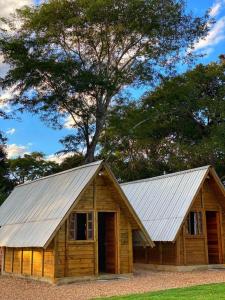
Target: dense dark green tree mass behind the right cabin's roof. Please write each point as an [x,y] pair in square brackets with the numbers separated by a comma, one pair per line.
[179,125]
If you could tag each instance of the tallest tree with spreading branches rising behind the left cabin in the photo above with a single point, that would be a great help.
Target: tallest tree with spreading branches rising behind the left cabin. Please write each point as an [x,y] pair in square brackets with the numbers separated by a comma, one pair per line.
[73,57]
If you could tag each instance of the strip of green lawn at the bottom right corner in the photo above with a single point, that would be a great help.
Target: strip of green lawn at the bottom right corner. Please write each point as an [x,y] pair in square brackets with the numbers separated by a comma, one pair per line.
[201,292]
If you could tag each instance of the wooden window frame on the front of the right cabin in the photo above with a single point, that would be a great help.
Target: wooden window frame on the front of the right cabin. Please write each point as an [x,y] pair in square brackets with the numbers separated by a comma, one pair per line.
[199,230]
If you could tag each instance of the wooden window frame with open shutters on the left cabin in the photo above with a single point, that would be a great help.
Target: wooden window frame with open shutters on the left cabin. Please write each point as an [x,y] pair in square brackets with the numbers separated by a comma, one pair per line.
[89,222]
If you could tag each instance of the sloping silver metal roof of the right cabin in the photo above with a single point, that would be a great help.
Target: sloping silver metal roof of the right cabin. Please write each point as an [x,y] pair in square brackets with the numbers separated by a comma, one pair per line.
[162,202]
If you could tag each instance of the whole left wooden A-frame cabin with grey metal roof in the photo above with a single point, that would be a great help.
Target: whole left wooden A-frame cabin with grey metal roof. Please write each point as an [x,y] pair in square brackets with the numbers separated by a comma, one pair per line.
[69,226]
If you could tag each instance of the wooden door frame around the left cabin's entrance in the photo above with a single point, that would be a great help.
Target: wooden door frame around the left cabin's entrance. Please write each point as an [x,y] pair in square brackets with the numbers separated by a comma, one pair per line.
[117,239]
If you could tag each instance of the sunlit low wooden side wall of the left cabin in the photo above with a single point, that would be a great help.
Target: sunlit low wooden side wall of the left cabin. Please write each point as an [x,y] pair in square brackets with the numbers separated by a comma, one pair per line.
[35,262]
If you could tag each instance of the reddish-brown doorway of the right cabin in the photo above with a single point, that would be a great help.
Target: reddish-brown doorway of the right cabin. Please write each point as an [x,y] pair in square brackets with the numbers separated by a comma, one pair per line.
[213,237]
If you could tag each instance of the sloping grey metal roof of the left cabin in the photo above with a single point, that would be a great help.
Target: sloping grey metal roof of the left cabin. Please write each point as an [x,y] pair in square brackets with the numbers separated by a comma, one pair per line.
[34,210]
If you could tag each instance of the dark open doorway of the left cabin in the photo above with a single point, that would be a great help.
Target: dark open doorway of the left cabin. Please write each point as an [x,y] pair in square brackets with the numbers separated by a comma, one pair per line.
[106,242]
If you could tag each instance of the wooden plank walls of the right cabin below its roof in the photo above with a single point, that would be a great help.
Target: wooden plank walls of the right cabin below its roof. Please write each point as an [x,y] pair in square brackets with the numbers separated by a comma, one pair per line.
[188,249]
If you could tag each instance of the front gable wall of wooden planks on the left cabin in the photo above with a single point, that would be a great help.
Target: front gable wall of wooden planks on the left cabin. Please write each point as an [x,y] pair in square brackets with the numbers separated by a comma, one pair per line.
[79,258]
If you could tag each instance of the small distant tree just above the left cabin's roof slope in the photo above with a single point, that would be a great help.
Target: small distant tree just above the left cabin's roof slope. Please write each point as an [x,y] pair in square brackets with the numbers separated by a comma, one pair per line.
[30,167]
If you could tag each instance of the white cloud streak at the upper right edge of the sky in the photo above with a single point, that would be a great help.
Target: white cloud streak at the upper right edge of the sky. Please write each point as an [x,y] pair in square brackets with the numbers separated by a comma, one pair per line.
[215,35]
